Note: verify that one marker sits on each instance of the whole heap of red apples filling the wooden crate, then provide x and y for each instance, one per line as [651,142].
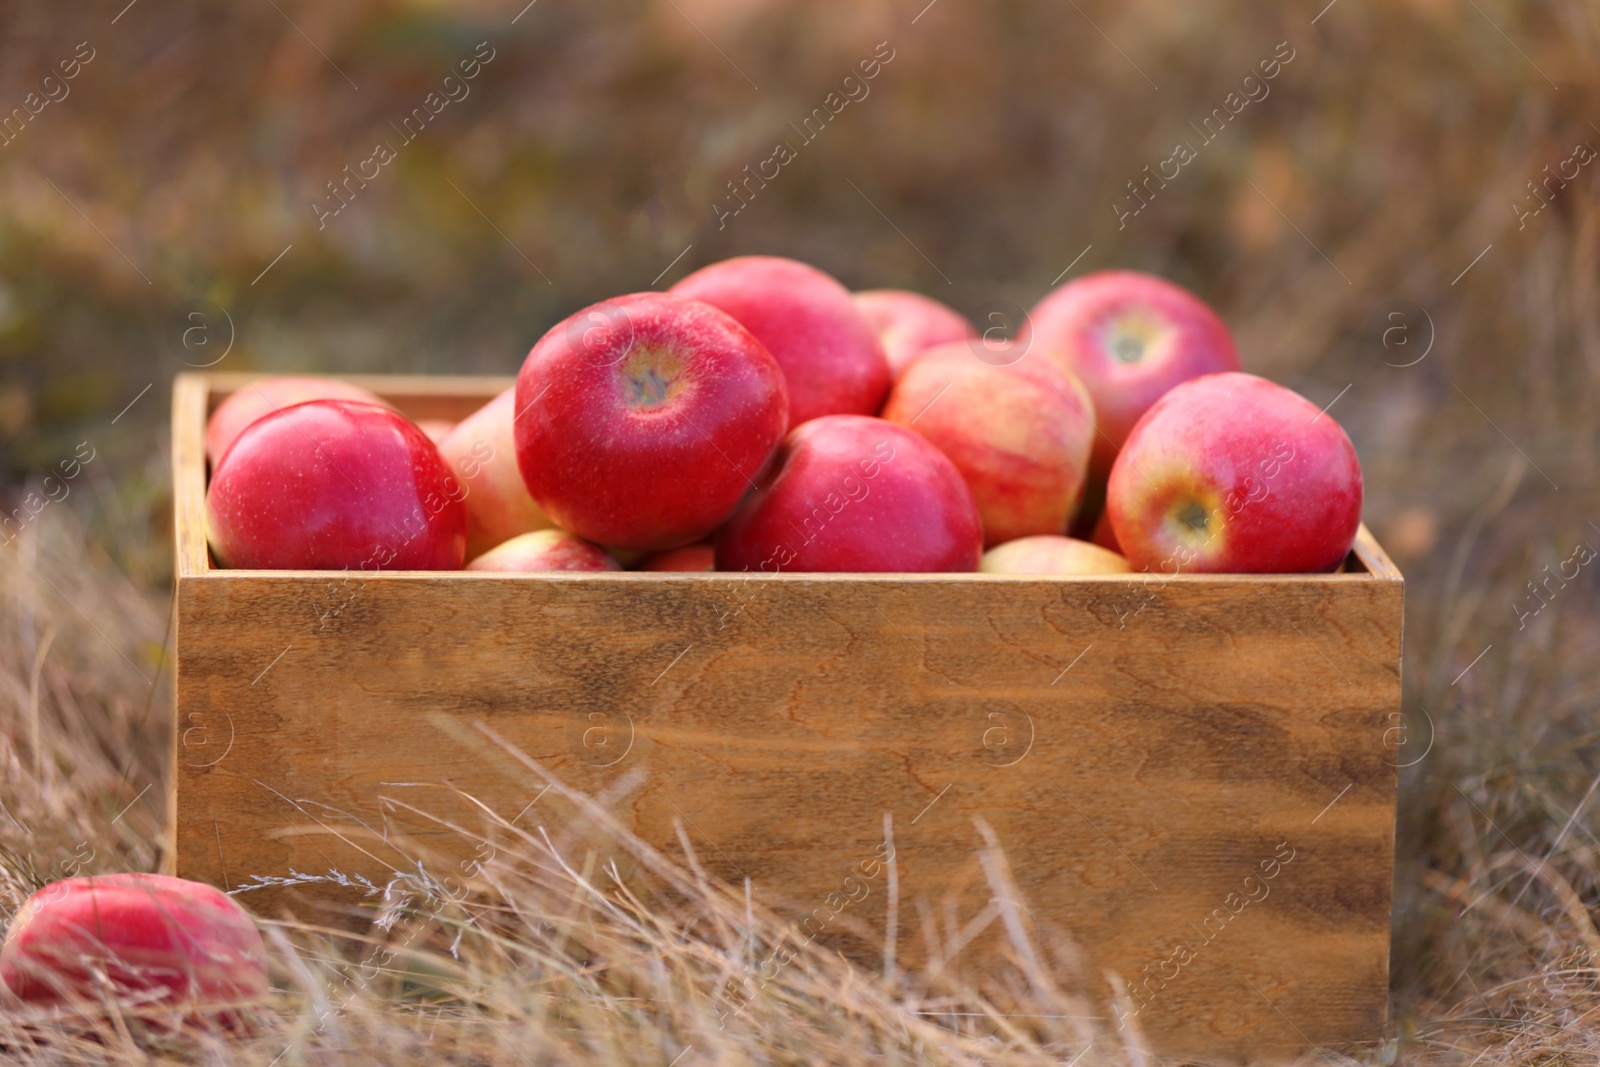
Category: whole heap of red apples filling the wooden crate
[762,418]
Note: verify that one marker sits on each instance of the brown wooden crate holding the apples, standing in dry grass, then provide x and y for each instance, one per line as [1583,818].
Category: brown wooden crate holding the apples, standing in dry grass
[1190,777]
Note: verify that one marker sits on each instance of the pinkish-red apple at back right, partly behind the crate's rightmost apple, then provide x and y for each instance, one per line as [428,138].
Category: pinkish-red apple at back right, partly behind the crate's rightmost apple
[1130,338]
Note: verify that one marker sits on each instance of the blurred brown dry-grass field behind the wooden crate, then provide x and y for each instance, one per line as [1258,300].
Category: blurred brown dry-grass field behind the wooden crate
[161,215]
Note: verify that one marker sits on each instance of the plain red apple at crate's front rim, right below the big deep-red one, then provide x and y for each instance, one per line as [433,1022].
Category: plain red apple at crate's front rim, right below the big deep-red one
[858,495]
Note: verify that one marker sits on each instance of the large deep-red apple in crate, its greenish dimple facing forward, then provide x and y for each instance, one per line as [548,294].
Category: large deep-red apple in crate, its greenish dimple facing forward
[642,422]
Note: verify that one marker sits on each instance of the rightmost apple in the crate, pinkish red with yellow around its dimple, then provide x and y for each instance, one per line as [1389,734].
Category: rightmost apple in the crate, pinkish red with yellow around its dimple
[1231,473]
